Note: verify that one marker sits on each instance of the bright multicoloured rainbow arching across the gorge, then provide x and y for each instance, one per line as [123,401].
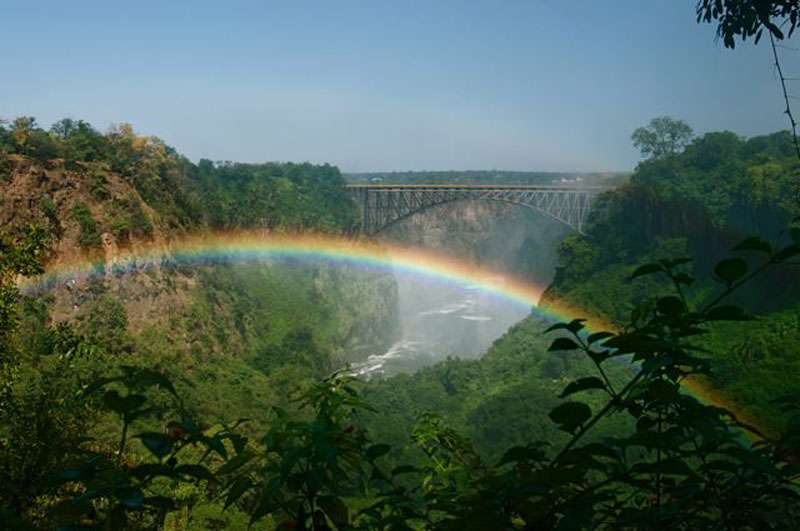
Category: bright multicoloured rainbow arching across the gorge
[243,247]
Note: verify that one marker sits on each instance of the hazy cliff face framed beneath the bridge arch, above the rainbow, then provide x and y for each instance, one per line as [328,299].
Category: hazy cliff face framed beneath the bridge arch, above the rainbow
[496,235]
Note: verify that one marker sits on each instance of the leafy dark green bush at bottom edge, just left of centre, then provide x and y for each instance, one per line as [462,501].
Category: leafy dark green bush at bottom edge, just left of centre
[310,467]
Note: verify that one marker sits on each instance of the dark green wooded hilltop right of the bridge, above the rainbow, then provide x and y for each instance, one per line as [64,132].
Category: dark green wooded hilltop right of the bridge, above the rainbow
[700,201]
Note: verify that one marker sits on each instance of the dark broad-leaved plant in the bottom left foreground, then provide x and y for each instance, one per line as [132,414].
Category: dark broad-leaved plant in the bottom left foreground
[120,493]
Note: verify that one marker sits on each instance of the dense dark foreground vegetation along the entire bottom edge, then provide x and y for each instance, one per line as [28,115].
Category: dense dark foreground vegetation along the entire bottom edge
[671,461]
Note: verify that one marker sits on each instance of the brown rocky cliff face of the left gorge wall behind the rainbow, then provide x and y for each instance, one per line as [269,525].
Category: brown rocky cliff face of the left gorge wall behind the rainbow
[251,311]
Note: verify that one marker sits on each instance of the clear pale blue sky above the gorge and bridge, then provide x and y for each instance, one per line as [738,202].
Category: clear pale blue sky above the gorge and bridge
[545,85]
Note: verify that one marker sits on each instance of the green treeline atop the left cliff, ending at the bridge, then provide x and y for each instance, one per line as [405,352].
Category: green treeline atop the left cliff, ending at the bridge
[186,195]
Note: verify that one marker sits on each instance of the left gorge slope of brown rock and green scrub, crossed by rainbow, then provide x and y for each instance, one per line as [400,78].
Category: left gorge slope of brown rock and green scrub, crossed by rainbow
[236,338]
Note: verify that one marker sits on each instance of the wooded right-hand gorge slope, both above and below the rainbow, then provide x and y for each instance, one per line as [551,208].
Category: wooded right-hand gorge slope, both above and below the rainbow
[700,202]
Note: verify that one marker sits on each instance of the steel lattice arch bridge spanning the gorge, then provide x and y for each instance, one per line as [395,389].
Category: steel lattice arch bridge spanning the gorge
[384,204]
